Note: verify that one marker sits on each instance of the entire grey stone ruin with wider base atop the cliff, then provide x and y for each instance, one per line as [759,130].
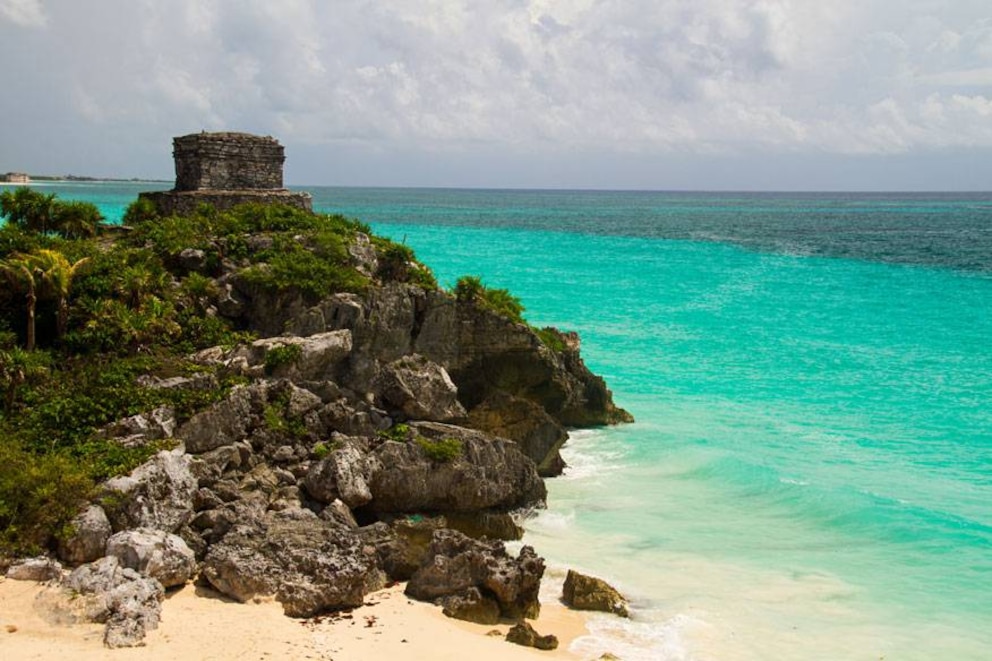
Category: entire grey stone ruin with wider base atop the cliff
[224,170]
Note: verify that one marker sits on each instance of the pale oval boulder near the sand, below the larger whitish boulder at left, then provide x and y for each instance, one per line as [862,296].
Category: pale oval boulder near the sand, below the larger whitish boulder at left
[155,553]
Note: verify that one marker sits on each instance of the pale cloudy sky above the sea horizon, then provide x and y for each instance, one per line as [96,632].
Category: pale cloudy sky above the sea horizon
[610,94]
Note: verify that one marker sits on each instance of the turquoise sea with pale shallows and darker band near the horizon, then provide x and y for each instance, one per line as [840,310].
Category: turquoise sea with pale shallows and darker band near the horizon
[810,473]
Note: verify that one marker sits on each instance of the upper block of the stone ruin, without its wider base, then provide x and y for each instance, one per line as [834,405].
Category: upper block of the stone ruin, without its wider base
[227,161]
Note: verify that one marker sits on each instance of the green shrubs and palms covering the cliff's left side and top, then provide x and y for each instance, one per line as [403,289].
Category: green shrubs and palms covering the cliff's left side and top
[83,316]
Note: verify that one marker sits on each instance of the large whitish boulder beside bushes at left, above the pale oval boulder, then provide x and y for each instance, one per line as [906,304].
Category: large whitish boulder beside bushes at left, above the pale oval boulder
[158,494]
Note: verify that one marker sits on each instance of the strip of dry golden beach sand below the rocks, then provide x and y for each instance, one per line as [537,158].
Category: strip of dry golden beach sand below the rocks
[200,624]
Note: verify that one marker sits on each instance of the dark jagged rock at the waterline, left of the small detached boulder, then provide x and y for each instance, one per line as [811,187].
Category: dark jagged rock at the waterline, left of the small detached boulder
[456,563]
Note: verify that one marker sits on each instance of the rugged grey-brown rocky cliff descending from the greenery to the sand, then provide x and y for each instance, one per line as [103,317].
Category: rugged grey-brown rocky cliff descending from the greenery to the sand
[368,427]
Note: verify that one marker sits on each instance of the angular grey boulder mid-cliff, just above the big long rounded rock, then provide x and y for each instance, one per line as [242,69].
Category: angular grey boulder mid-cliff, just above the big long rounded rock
[415,388]
